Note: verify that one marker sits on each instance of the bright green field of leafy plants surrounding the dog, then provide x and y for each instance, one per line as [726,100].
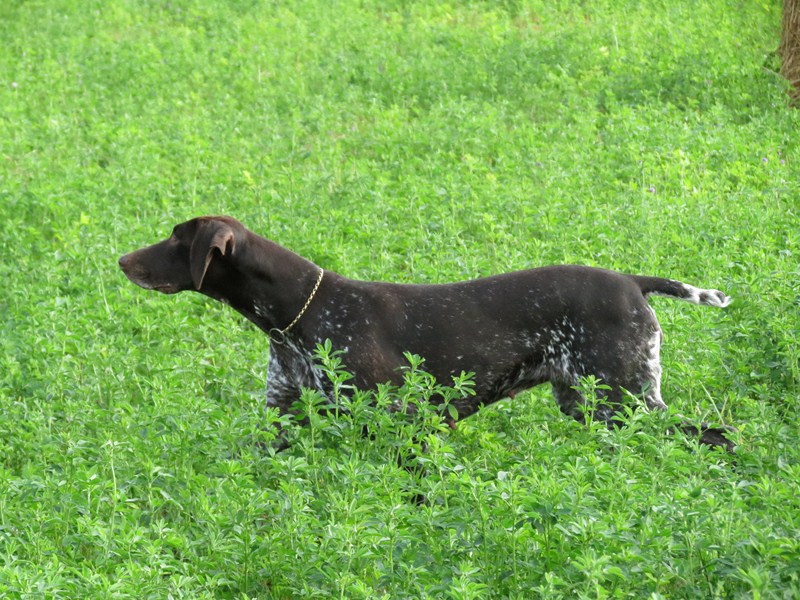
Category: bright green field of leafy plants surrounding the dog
[410,141]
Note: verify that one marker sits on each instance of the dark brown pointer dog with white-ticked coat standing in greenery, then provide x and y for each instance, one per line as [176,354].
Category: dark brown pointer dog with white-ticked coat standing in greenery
[514,331]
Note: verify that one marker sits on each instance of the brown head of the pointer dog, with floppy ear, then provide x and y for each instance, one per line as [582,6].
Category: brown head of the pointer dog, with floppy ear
[182,260]
